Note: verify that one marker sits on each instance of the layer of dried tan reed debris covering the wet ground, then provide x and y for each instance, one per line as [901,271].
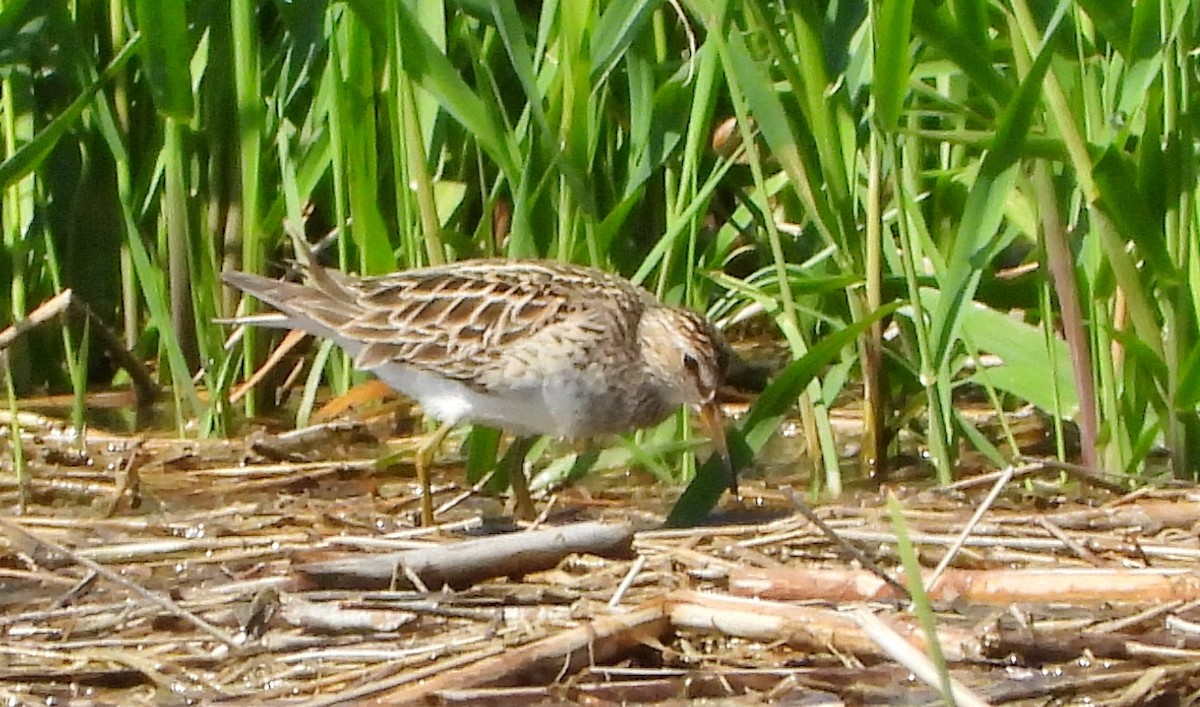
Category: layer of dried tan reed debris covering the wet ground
[178,572]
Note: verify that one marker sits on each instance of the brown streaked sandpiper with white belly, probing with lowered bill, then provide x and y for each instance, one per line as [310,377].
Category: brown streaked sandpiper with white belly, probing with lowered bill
[532,347]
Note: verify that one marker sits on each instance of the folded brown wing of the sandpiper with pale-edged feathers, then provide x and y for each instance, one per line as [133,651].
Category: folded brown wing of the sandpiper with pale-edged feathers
[477,322]
